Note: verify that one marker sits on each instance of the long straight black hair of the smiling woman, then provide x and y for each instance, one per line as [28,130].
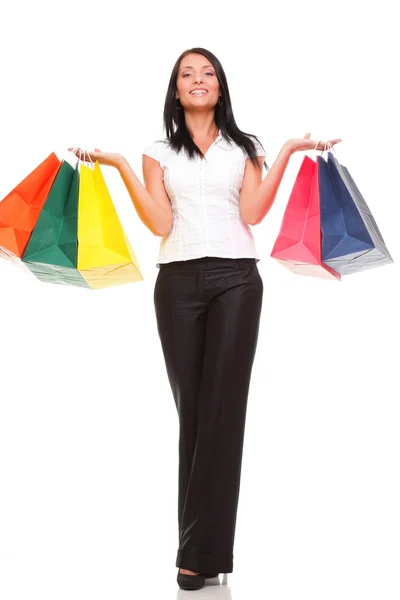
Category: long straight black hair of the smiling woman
[174,119]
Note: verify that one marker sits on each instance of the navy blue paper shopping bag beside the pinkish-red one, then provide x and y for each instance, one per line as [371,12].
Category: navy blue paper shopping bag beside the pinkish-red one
[351,240]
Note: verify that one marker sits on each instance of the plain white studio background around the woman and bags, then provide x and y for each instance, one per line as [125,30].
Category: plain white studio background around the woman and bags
[88,427]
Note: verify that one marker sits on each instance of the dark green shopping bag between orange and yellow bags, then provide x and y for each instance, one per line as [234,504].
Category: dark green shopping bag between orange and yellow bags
[52,251]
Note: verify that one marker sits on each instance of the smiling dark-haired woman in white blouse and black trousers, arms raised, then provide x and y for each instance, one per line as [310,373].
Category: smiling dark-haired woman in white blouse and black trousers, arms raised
[203,188]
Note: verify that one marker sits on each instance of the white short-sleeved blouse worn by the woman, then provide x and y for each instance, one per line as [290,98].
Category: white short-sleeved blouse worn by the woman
[204,195]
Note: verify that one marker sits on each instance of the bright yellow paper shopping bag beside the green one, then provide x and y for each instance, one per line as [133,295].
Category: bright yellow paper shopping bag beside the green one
[105,256]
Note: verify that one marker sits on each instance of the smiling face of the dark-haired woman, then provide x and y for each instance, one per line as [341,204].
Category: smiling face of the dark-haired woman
[196,72]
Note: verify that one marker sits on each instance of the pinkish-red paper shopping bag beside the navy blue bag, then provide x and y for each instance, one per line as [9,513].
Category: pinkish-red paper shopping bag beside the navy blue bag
[298,245]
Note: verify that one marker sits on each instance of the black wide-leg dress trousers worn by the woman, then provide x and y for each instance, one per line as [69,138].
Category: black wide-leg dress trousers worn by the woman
[208,312]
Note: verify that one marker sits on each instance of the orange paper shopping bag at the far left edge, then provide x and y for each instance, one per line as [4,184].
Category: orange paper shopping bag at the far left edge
[20,209]
